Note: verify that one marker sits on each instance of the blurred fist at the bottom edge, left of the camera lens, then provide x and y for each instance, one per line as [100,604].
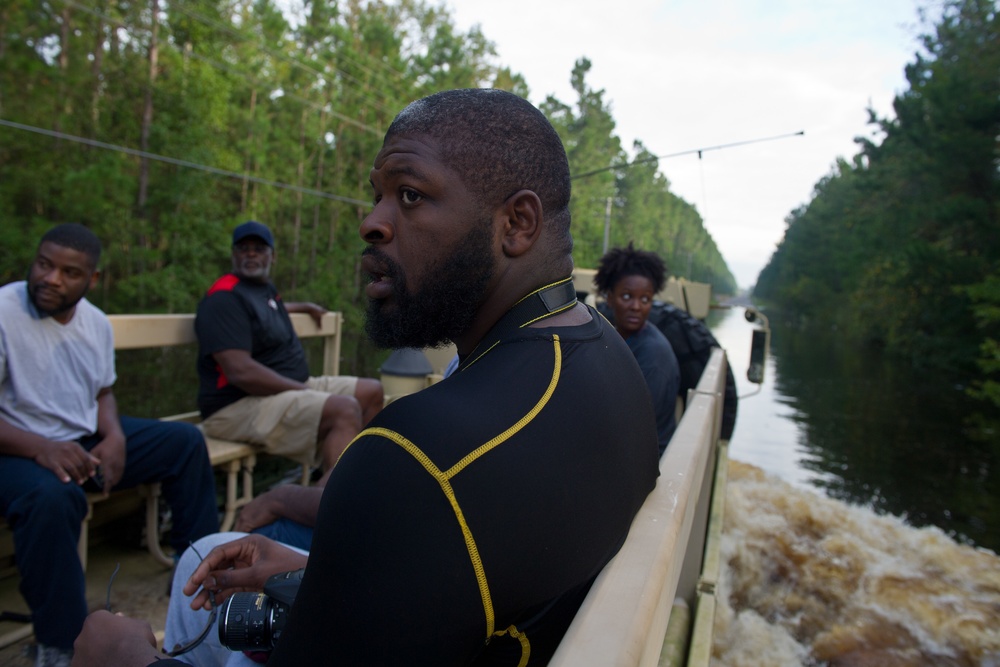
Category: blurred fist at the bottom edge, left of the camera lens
[108,639]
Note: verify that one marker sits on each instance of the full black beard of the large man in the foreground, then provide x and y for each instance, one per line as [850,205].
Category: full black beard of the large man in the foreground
[446,304]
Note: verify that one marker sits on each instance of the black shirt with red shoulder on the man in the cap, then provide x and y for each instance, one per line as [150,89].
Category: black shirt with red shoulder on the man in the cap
[242,315]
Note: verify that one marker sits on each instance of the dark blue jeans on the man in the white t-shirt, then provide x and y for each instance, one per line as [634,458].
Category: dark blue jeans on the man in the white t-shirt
[45,516]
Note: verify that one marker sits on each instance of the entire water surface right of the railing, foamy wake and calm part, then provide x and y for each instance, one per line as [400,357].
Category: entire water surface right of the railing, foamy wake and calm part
[860,515]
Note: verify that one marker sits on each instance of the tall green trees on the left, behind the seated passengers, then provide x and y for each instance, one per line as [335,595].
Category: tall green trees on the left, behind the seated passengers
[161,125]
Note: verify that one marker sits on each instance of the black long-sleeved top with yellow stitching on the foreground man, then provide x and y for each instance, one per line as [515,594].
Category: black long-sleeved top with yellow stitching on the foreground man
[465,525]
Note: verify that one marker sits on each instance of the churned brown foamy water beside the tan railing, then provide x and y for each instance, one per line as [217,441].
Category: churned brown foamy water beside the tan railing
[810,580]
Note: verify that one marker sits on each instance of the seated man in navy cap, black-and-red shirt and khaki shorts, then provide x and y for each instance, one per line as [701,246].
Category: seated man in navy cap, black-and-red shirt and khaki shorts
[254,383]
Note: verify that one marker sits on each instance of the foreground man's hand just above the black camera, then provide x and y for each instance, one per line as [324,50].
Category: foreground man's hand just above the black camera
[242,565]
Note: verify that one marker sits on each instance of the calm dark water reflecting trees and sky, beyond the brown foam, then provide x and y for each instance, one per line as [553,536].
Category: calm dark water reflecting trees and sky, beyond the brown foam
[864,430]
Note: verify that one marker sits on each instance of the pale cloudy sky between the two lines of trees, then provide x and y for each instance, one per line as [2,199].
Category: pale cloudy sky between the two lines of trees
[690,74]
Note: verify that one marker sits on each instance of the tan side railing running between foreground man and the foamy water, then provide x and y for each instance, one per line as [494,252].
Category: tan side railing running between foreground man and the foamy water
[623,620]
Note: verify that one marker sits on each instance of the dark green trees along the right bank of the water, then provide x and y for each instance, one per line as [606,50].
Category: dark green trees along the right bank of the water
[900,247]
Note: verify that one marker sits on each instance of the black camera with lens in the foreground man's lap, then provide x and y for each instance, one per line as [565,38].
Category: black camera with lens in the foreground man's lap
[255,621]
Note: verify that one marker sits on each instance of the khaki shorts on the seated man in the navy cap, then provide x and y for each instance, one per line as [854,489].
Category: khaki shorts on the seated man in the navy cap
[285,424]
